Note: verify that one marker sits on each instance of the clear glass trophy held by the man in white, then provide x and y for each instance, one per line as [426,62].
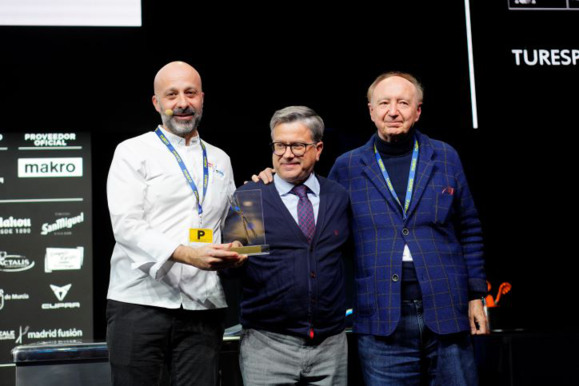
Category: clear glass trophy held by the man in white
[244,223]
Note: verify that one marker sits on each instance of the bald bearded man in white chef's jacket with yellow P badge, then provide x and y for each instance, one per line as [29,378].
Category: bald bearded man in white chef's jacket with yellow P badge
[168,193]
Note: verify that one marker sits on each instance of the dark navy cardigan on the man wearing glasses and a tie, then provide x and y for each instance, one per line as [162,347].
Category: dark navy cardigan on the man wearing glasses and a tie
[298,286]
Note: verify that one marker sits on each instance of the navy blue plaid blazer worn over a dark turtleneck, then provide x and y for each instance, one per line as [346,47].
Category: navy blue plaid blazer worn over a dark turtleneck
[442,231]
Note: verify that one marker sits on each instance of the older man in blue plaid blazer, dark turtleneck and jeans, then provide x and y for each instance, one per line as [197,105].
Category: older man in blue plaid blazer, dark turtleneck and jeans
[419,260]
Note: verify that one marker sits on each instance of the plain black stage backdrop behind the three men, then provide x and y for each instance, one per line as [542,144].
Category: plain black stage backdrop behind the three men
[256,59]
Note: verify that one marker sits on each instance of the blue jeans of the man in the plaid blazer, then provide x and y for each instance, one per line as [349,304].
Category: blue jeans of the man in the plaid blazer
[414,355]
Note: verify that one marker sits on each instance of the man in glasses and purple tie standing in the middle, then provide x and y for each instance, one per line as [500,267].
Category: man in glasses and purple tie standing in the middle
[293,301]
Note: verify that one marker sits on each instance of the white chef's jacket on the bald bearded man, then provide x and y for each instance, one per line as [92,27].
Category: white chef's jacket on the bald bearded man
[152,208]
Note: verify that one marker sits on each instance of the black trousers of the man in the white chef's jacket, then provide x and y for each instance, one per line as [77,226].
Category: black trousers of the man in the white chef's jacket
[147,342]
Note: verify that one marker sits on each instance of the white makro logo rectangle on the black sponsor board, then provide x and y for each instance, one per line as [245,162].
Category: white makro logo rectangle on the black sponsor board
[49,167]
